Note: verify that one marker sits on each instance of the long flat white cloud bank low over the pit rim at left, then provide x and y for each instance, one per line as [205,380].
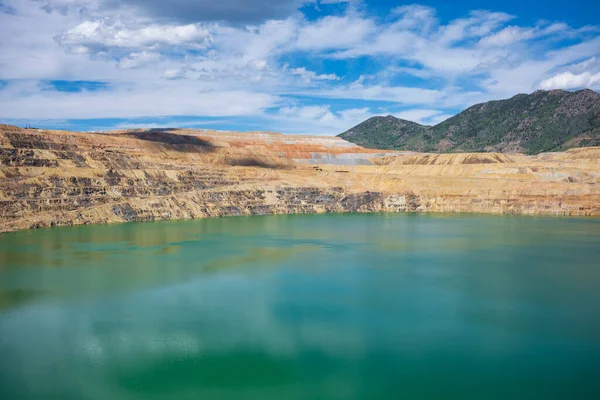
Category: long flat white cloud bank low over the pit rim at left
[23,100]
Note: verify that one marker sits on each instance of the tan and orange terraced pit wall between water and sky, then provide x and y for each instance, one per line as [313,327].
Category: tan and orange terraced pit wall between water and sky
[57,178]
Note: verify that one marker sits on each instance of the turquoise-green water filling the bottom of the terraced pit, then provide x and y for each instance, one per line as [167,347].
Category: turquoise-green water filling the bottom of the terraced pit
[366,306]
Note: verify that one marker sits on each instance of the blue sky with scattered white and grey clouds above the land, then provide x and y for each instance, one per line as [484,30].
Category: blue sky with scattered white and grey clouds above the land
[292,66]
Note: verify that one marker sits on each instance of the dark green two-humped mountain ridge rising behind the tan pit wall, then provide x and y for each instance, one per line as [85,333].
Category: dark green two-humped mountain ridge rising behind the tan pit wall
[530,123]
